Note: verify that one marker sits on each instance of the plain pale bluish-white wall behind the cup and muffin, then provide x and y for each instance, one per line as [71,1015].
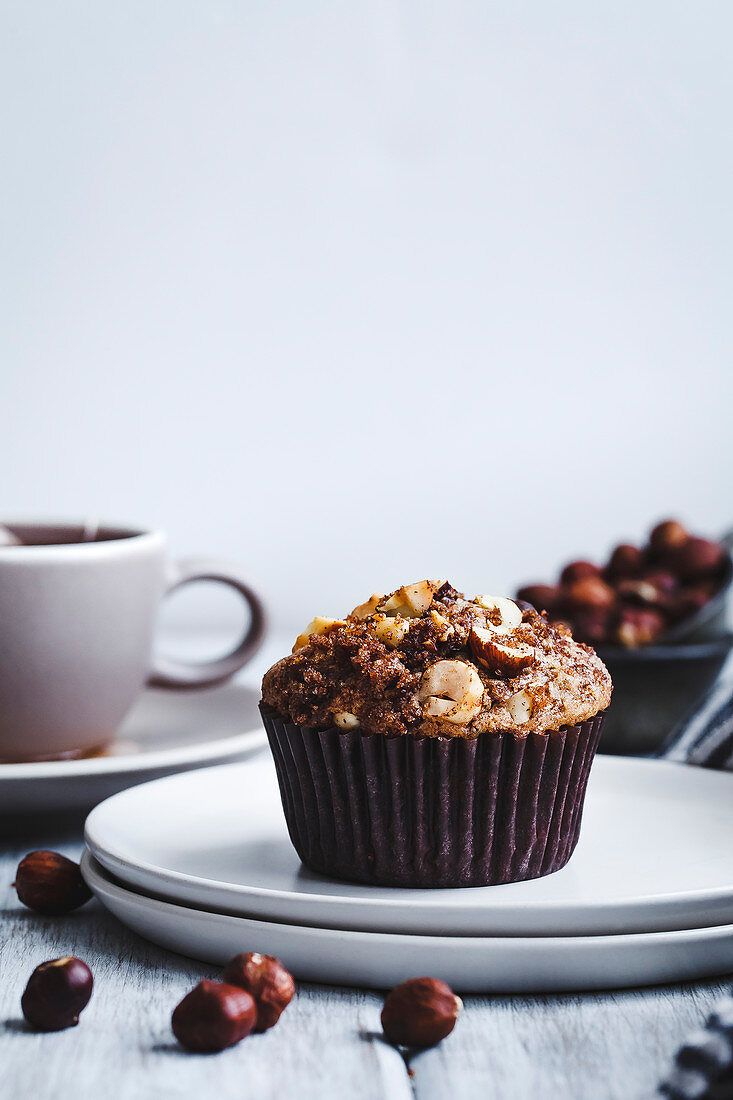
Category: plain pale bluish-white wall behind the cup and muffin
[356,294]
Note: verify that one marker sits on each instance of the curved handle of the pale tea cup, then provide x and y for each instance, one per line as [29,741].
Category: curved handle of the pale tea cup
[167,672]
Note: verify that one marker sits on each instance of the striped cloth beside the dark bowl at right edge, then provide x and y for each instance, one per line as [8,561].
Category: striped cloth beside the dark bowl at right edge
[706,738]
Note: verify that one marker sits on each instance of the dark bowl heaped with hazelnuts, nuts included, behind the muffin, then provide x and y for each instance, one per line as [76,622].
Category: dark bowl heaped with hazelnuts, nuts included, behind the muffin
[657,614]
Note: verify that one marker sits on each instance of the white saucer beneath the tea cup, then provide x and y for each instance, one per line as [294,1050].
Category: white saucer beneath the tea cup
[166,732]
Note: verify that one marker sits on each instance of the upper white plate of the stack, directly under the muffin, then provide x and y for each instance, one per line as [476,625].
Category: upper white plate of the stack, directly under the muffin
[655,854]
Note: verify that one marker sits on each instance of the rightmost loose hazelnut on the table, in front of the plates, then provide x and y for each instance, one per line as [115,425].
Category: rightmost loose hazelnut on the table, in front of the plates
[420,1013]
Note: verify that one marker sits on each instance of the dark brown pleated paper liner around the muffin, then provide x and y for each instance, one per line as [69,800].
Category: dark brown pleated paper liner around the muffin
[433,811]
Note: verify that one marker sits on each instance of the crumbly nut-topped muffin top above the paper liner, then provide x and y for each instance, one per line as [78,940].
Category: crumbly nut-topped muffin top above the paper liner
[425,662]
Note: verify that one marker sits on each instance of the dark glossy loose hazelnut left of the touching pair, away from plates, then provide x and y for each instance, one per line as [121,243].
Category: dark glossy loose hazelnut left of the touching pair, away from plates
[57,993]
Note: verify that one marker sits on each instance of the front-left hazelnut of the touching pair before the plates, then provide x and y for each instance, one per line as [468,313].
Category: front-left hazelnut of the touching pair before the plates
[214,1017]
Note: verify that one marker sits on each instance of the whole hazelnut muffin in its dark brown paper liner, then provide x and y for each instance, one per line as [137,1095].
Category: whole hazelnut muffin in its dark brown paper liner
[432,741]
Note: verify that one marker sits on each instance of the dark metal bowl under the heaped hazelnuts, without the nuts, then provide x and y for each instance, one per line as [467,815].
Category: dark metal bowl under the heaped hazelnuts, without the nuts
[654,688]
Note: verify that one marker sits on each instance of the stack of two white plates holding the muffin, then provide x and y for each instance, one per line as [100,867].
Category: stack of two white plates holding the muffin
[202,864]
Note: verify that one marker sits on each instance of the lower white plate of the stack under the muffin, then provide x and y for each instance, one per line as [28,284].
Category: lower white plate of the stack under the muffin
[382,960]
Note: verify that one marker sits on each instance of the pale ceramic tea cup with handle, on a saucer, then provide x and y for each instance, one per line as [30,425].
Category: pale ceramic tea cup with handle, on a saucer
[76,634]
